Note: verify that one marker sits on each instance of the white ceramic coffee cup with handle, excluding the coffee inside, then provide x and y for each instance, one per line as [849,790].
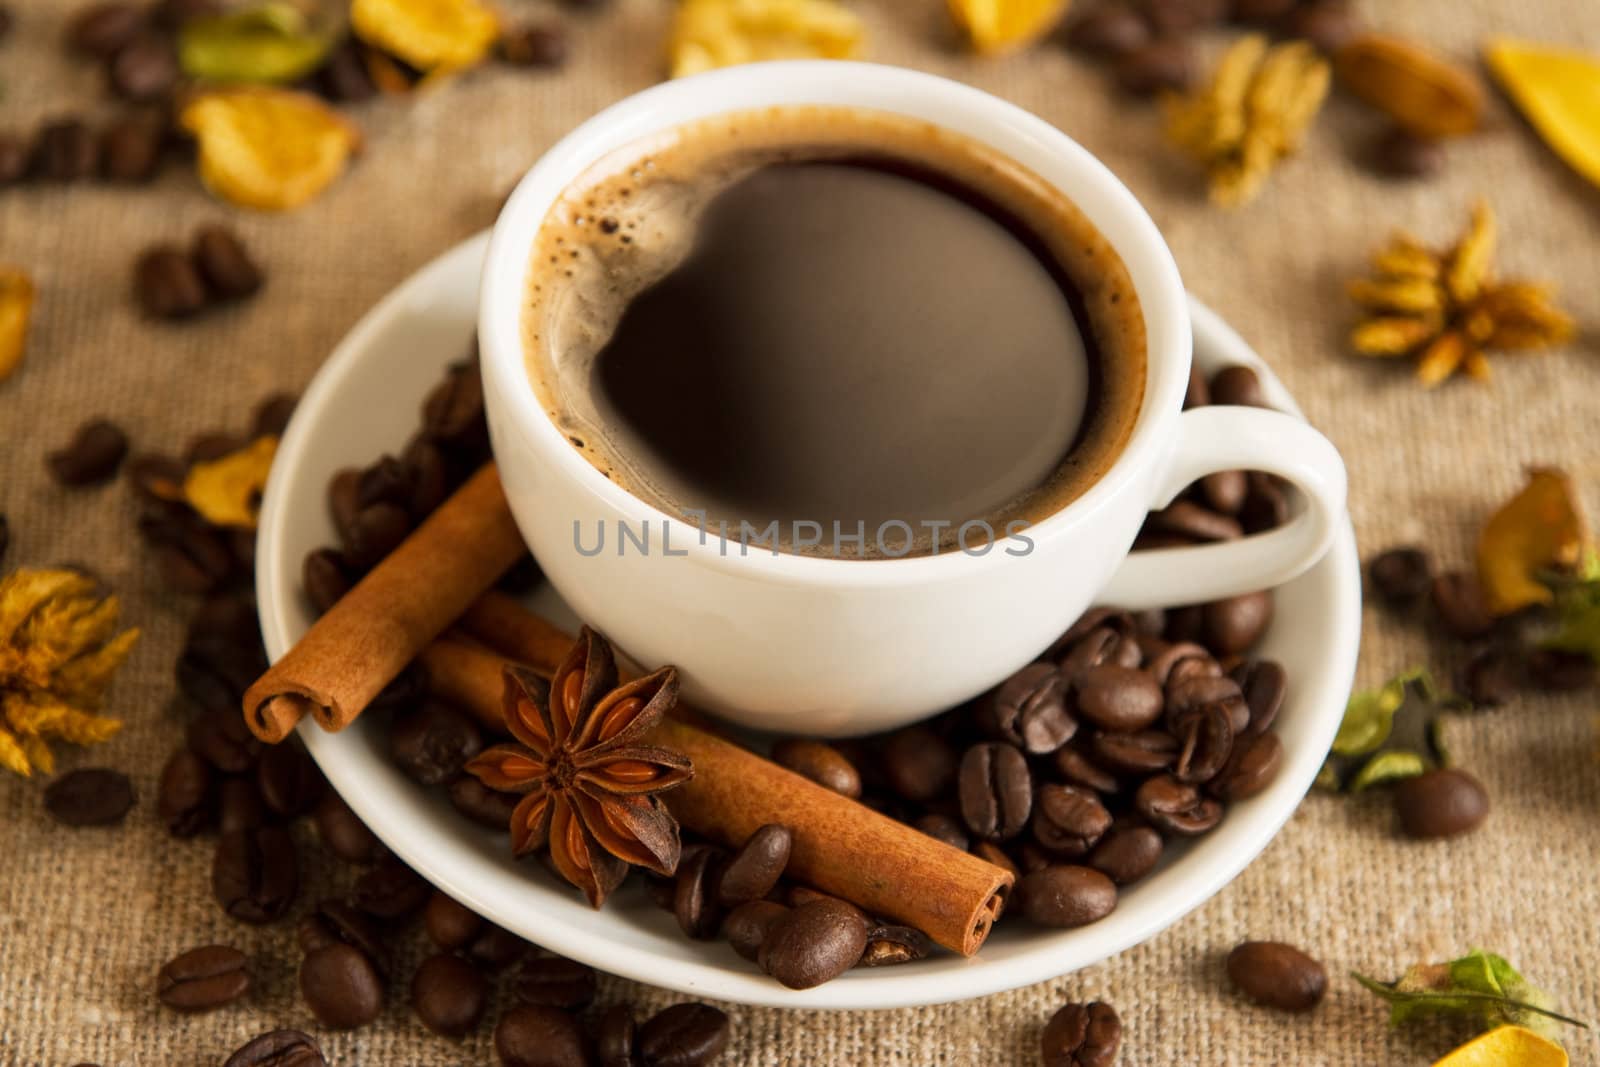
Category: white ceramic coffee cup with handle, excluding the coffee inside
[846,647]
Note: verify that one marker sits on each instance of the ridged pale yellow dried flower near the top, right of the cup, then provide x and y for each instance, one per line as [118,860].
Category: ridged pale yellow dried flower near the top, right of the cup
[1252,116]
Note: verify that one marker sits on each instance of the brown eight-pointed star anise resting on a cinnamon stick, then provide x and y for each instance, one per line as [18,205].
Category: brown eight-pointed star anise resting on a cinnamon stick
[590,788]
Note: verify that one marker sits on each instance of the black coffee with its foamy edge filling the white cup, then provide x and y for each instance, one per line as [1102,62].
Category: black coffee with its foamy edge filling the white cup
[841,322]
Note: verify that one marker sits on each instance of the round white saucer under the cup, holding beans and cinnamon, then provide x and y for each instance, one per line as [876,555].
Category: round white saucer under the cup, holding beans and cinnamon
[366,401]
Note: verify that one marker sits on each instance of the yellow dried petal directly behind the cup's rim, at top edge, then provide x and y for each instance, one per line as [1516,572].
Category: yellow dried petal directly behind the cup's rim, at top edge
[710,34]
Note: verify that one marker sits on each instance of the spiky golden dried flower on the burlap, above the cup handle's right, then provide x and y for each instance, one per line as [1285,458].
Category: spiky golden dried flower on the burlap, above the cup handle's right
[1447,310]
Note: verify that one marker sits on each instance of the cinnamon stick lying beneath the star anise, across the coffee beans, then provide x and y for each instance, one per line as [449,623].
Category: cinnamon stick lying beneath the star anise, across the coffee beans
[841,847]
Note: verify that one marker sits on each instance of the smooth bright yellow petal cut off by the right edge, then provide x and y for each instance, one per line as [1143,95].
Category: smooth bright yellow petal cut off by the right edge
[1559,92]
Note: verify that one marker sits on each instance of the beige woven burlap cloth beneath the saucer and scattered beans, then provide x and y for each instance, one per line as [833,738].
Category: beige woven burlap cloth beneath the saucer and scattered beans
[87,917]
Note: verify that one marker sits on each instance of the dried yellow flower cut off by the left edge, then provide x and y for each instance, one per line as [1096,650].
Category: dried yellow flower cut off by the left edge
[58,653]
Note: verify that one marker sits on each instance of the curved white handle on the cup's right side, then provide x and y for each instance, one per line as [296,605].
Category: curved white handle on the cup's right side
[1215,439]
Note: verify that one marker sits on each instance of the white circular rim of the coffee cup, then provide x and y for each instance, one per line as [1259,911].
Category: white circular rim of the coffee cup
[964,110]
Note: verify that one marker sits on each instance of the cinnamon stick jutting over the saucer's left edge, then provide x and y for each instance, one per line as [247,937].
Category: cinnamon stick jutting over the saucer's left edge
[378,628]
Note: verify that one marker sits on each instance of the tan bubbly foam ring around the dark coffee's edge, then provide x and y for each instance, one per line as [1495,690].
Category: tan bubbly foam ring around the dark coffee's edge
[633,218]
